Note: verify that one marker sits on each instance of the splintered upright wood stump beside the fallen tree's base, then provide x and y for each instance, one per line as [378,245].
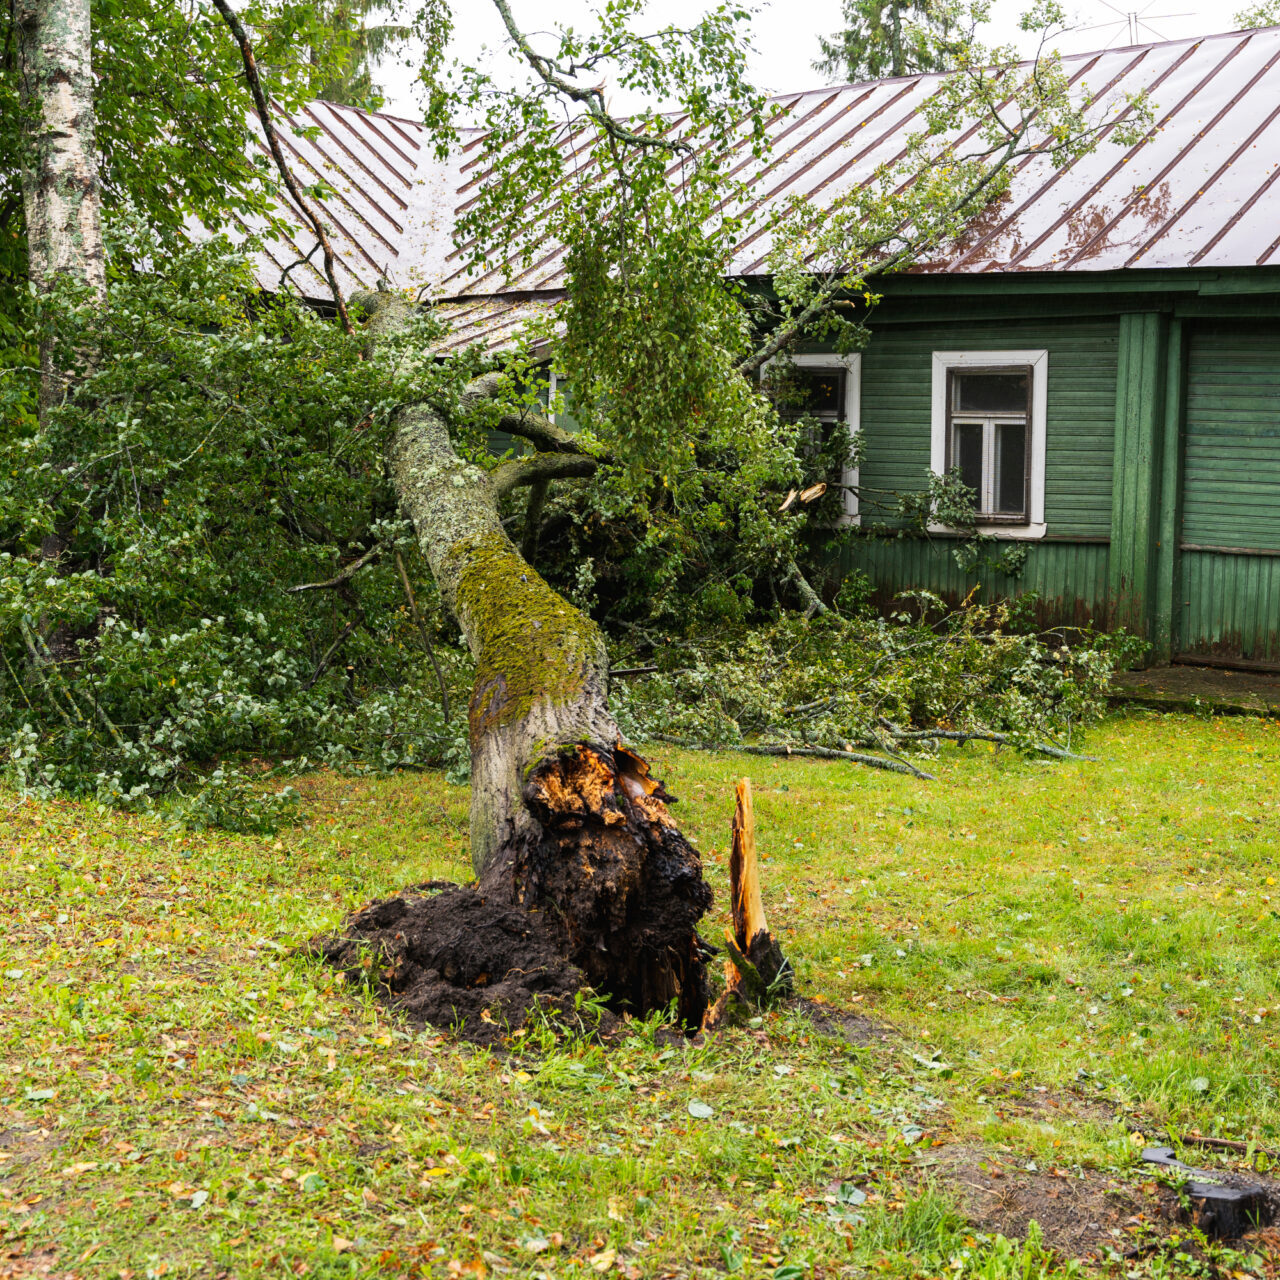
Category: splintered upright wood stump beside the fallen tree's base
[756,972]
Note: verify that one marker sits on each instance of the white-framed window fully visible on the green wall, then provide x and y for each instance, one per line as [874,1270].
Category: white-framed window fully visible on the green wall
[989,423]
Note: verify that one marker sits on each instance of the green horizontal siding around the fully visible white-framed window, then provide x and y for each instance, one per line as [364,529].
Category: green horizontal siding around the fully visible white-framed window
[897,391]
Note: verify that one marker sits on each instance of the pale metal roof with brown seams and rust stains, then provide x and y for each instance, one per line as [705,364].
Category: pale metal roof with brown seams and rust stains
[1200,190]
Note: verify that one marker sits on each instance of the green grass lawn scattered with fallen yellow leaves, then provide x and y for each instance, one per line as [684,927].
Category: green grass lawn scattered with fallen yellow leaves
[1063,953]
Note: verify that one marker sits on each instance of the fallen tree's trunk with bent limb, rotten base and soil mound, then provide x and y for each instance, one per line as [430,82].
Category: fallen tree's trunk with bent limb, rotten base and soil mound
[566,824]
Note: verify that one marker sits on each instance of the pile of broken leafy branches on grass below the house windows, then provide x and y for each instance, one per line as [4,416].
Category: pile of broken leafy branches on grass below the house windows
[885,693]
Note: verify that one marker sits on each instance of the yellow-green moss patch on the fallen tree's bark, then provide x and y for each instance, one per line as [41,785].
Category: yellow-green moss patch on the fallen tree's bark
[532,644]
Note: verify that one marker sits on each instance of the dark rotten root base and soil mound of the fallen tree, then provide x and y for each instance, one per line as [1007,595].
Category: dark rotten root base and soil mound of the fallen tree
[605,894]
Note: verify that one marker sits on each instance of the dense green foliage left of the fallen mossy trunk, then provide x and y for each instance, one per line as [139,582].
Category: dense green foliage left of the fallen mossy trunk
[227,449]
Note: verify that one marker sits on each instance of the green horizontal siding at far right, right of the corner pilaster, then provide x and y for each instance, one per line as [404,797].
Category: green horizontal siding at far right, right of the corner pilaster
[1232,481]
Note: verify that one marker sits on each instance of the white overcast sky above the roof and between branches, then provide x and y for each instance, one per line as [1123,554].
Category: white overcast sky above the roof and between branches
[787,34]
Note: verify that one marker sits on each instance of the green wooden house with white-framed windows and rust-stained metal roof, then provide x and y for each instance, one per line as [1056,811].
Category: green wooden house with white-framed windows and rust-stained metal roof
[1100,356]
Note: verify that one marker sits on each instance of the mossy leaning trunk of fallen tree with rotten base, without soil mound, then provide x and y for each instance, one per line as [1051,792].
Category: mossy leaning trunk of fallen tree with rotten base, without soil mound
[564,820]
